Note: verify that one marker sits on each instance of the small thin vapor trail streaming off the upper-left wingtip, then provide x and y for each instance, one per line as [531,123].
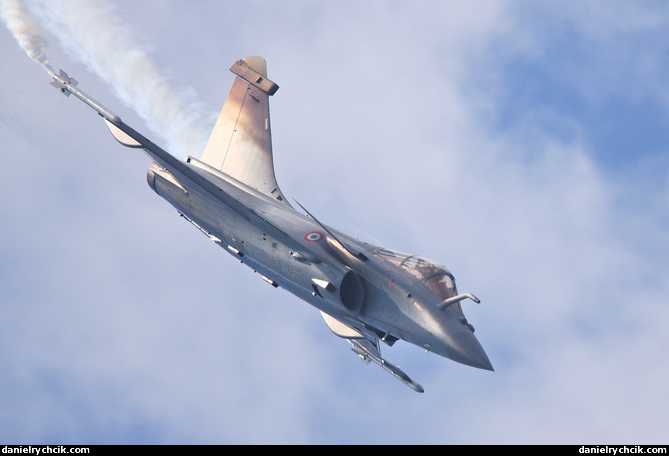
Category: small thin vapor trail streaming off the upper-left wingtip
[25,31]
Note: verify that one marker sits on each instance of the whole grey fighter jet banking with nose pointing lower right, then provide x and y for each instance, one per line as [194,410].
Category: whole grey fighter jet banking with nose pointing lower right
[366,294]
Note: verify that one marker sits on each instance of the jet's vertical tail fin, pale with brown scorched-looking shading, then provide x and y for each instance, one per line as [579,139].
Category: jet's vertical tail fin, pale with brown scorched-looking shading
[241,142]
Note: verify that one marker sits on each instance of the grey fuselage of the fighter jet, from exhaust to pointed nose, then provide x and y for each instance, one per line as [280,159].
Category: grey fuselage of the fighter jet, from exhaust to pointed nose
[290,250]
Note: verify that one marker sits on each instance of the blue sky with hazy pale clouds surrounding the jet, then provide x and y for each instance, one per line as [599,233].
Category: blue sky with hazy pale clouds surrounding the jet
[522,144]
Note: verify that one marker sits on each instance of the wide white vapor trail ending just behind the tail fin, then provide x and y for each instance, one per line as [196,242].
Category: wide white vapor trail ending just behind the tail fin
[91,32]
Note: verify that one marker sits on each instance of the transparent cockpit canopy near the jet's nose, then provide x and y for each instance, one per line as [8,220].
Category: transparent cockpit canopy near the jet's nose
[434,275]
